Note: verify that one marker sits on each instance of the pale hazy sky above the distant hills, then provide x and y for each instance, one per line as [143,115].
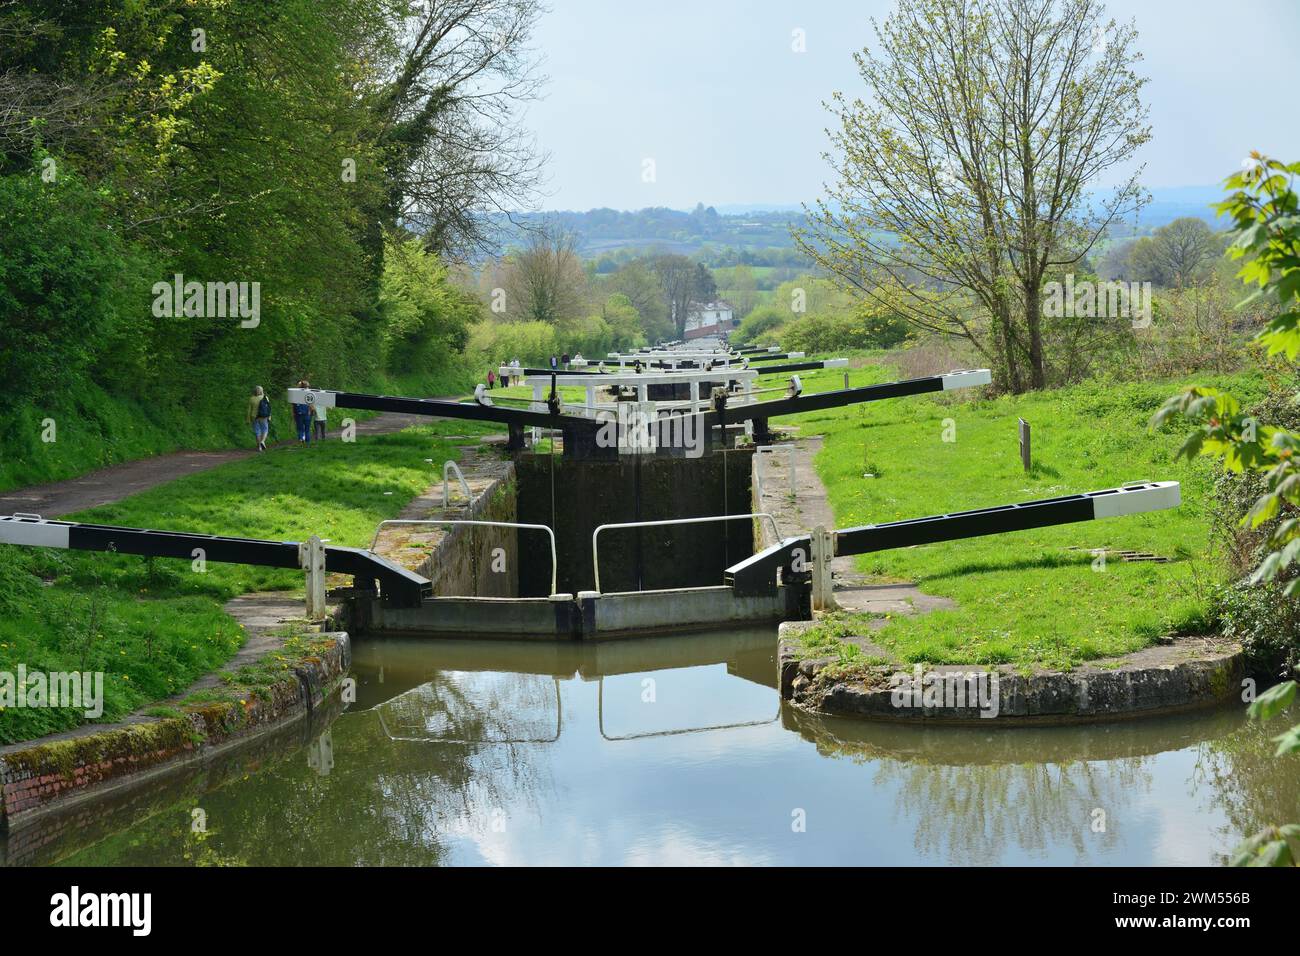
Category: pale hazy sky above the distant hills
[714,94]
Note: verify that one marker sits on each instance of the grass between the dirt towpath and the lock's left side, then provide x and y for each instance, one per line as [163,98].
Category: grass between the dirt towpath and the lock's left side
[155,626]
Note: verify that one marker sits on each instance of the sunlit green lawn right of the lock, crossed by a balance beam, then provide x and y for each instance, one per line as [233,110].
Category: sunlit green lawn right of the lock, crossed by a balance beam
[1024,598]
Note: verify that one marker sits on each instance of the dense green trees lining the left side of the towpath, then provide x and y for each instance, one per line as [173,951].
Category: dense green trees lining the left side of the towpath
[209,196]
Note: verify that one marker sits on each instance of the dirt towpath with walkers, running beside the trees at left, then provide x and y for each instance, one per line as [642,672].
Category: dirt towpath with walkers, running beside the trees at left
[118,482]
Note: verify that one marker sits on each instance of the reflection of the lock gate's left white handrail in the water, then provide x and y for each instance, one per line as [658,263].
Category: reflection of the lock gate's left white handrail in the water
[453,703]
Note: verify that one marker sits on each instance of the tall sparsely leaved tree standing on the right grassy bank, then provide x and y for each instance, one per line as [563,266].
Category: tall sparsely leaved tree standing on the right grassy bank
[965,183]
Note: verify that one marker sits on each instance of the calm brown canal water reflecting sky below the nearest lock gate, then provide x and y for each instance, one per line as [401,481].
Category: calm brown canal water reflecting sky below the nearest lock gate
[679,751]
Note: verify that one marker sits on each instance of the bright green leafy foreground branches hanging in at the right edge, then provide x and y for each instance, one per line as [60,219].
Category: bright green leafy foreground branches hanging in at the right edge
[1266,213]
